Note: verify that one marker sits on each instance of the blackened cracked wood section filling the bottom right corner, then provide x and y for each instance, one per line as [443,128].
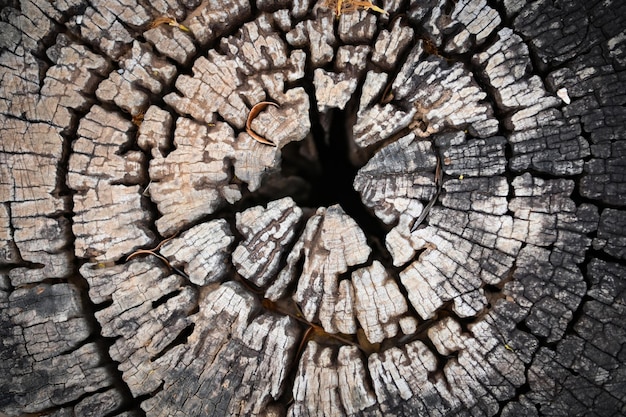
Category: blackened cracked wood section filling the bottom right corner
[593,359]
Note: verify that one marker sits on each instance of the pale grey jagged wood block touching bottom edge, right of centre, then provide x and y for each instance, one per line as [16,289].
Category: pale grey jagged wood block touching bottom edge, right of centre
[481,374]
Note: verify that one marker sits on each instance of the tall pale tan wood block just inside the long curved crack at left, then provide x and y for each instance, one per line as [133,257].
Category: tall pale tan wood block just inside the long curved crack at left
[110,220]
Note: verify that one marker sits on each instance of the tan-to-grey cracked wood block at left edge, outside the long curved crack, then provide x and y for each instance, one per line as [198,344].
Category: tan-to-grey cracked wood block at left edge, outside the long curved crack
[36,232]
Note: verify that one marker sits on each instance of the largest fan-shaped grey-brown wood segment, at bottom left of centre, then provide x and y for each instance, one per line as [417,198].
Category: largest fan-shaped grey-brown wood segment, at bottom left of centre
[151,310]
